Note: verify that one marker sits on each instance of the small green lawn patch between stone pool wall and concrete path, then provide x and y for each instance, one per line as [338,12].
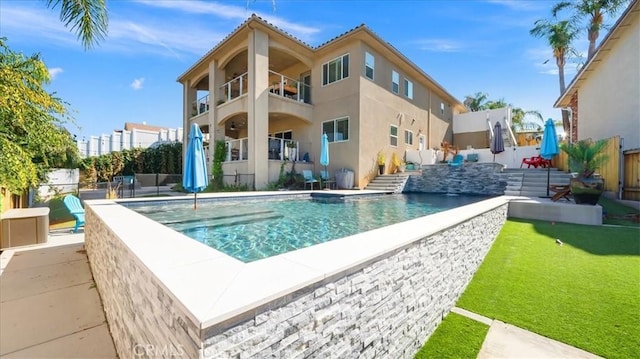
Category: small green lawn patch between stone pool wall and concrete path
[456,337]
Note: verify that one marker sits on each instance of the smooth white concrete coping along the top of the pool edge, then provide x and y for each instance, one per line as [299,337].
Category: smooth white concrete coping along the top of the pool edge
[185,267]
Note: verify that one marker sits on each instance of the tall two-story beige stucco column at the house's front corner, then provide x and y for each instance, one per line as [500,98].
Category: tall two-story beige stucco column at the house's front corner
[258,106]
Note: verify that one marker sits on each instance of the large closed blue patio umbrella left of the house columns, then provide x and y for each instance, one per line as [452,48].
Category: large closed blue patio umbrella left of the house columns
[194,177]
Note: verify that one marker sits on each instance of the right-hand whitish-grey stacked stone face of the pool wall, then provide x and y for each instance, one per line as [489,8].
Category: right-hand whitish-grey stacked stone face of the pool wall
[383,309]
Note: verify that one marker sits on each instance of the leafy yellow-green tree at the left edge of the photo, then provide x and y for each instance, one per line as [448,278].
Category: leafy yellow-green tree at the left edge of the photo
[31,135]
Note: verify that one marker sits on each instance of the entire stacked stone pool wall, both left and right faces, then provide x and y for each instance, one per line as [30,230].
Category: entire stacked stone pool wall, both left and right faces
[385,308]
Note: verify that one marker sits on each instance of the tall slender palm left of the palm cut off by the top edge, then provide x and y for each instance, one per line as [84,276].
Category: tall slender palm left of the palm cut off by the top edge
[559,35]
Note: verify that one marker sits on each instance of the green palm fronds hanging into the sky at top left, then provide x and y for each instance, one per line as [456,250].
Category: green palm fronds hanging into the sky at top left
[88,18]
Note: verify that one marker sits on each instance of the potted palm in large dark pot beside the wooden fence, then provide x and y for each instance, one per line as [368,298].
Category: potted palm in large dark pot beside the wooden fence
[585,157]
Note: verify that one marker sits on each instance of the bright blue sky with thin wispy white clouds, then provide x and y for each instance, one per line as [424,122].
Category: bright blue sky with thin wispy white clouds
[465,45]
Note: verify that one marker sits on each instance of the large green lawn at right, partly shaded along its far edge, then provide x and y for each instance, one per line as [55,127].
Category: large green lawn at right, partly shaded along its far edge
[585,293]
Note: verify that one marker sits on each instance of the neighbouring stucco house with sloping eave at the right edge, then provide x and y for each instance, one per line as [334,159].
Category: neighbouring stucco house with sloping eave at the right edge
[604,96]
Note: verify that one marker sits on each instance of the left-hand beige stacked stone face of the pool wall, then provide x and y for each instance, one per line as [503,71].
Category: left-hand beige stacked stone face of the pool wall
[144,319]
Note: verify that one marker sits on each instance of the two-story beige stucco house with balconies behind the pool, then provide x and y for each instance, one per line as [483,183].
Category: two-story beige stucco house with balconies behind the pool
[261,89]
